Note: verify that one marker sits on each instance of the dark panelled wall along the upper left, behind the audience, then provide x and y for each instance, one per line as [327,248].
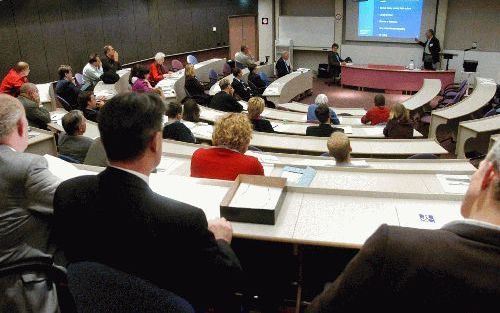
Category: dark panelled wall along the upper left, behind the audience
[48,33]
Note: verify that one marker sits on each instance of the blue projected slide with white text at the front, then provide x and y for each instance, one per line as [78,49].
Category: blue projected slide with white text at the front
[390,18]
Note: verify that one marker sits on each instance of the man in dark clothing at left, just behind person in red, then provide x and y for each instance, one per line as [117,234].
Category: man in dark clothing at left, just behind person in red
[36,114]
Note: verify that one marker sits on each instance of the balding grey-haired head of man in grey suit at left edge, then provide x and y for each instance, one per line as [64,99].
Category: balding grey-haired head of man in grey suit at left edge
[13,123]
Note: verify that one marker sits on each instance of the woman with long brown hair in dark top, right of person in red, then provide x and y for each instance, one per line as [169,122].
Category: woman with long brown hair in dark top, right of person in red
[399,125]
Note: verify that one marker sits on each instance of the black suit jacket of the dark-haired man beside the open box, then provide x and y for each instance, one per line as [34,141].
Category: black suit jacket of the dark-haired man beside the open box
[114,218]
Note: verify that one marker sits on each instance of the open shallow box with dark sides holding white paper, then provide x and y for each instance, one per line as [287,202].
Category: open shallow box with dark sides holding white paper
[264,196]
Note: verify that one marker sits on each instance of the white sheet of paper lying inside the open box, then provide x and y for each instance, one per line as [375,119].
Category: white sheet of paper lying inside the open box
[256,197]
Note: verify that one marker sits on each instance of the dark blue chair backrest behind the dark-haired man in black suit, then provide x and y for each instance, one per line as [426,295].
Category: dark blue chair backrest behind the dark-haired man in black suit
[98,288]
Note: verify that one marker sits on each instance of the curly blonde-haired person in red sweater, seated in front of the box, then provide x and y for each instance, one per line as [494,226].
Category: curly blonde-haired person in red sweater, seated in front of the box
[226,160]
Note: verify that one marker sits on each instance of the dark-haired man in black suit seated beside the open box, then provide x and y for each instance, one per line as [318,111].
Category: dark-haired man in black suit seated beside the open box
[129,222]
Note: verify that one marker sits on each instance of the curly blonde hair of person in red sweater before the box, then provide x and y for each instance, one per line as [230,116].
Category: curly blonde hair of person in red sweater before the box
[233,131]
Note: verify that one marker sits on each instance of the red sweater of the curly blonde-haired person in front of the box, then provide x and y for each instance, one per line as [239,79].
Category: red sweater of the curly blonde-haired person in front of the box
[221,163]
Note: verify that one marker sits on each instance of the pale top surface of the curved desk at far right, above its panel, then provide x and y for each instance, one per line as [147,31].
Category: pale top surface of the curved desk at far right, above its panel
[482,94]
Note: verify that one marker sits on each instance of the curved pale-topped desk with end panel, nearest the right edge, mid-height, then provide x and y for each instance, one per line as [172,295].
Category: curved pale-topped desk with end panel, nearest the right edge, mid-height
[481,96]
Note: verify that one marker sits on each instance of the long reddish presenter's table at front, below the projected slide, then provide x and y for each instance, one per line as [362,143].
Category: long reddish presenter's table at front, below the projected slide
[391,77]
